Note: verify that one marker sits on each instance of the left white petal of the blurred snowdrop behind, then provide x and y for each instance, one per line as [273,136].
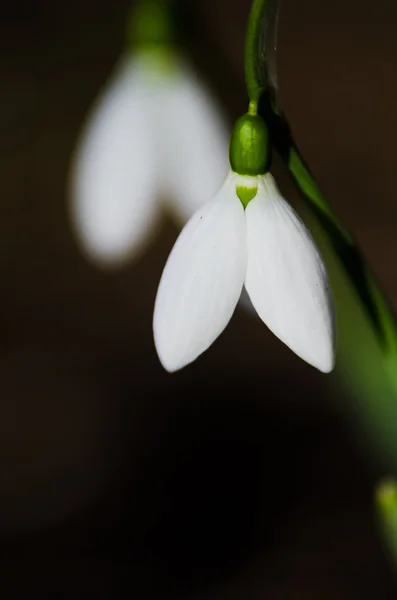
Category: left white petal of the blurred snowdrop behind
[113,179]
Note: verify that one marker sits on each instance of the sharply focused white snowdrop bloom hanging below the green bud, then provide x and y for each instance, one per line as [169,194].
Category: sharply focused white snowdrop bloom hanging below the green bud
[265,247]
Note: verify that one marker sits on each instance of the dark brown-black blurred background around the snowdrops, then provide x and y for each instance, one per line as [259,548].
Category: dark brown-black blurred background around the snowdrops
[238,477]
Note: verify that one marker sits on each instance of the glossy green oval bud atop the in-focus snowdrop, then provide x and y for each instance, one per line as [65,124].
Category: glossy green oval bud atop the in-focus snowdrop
[249,146]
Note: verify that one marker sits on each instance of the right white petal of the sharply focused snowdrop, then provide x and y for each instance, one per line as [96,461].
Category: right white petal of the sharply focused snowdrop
[286,278]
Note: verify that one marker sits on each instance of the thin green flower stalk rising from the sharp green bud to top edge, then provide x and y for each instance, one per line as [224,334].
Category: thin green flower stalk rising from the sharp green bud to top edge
[260,44]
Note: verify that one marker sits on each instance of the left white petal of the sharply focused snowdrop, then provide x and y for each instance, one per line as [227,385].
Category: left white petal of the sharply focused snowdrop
[202,280]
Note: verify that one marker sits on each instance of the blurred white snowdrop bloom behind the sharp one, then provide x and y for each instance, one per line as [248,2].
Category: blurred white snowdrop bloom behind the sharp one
[155,136]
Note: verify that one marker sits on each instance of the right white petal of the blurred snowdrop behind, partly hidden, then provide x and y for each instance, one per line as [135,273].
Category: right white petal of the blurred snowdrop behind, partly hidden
[195,143]
